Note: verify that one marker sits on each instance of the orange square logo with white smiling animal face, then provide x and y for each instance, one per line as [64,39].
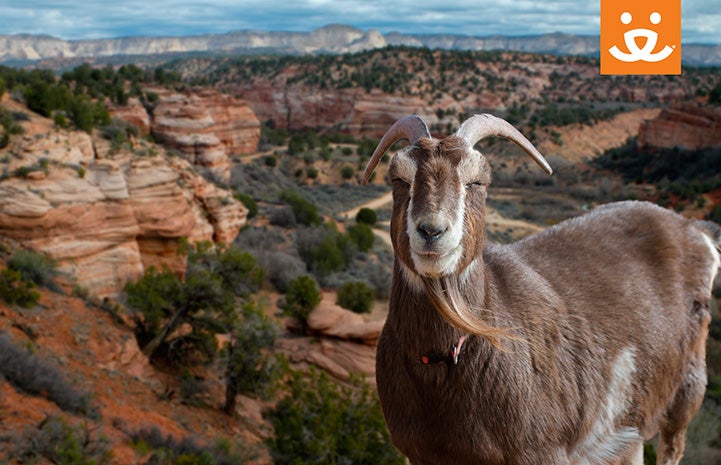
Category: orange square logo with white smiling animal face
[641,37]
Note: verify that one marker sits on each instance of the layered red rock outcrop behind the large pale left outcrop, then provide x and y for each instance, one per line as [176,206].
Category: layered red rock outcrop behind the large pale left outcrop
[205,127]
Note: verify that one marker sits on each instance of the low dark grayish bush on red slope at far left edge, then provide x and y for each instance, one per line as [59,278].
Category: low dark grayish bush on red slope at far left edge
[36,376]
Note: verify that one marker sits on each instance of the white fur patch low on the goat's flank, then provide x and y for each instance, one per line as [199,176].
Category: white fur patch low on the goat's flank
[604,442]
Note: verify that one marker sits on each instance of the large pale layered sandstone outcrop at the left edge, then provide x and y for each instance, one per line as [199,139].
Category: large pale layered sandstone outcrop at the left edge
[104,215]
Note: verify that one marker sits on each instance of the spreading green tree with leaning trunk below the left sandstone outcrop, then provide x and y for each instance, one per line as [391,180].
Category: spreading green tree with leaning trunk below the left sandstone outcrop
[204,301]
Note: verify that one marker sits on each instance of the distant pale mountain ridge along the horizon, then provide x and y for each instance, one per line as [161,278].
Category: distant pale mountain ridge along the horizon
[27,48]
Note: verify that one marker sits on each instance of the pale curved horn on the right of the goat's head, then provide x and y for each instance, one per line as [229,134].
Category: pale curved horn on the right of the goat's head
[478,127]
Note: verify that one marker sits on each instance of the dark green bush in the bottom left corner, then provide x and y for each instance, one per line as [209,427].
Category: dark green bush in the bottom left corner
[58,442]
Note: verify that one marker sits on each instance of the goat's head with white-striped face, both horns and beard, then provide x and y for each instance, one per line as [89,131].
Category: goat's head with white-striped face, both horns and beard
[439,194]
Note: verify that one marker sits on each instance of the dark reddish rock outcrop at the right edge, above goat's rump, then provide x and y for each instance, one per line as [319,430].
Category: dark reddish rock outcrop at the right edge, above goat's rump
[687,127]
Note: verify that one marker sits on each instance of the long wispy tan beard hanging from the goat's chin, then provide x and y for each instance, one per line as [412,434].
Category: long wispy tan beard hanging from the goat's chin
[446,295]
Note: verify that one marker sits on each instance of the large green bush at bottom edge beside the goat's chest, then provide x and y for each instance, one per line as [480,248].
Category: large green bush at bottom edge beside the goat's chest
[319,422]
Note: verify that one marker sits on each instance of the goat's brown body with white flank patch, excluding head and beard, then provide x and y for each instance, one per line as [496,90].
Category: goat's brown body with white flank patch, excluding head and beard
[612,348]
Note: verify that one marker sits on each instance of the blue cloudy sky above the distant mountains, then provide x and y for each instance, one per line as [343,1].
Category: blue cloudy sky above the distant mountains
[96,19]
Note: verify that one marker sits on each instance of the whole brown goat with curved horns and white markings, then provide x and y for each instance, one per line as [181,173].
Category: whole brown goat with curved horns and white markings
[571,346]
